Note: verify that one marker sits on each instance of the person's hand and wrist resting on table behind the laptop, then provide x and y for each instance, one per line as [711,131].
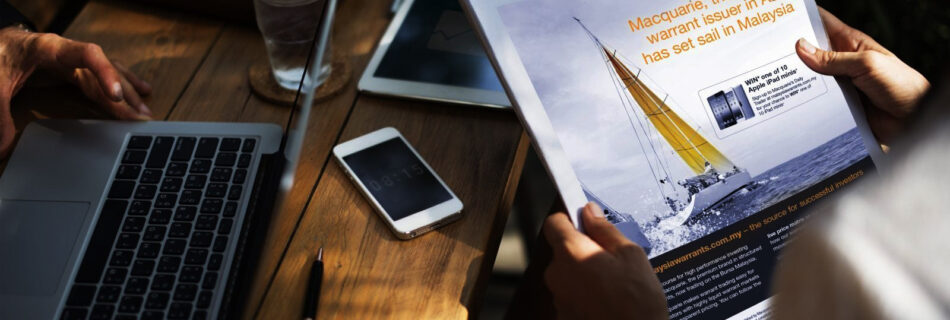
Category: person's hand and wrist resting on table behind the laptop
[108,83]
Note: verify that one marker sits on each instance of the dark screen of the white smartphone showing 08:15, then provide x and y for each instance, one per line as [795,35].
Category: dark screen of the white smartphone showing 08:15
[398,179]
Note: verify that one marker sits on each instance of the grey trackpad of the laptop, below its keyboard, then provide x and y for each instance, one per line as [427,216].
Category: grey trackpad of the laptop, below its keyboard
[36,241]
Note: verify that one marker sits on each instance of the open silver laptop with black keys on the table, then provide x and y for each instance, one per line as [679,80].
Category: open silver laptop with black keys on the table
[142,220]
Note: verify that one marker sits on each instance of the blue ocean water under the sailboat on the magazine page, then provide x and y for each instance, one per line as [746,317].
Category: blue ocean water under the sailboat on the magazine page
[768,188]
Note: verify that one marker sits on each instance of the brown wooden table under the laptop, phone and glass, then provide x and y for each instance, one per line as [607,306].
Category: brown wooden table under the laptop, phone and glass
[198,68]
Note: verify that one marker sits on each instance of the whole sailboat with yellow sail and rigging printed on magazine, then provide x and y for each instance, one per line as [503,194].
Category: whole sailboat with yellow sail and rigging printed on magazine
[714,177]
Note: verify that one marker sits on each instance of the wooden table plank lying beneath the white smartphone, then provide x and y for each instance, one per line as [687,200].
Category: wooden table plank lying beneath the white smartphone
[370,273]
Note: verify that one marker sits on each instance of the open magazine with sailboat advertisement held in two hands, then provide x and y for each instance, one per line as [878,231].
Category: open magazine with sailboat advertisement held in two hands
[694,125]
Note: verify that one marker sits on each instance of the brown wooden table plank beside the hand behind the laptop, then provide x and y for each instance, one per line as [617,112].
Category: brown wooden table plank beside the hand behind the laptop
[163,48]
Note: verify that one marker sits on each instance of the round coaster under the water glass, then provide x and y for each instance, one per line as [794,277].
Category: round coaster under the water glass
[264,86]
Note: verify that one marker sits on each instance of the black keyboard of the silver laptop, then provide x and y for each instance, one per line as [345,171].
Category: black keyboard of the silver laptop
[158,247]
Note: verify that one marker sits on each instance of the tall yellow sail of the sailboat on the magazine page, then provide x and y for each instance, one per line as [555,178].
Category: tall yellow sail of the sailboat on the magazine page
[689,144]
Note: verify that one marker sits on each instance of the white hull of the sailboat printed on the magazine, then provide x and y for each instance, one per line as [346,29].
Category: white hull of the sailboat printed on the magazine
[710,196]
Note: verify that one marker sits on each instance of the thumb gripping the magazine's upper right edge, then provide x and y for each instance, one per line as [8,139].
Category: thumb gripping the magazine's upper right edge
[836,63]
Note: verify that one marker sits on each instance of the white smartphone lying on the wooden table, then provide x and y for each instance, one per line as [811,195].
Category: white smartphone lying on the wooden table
[405,191]
